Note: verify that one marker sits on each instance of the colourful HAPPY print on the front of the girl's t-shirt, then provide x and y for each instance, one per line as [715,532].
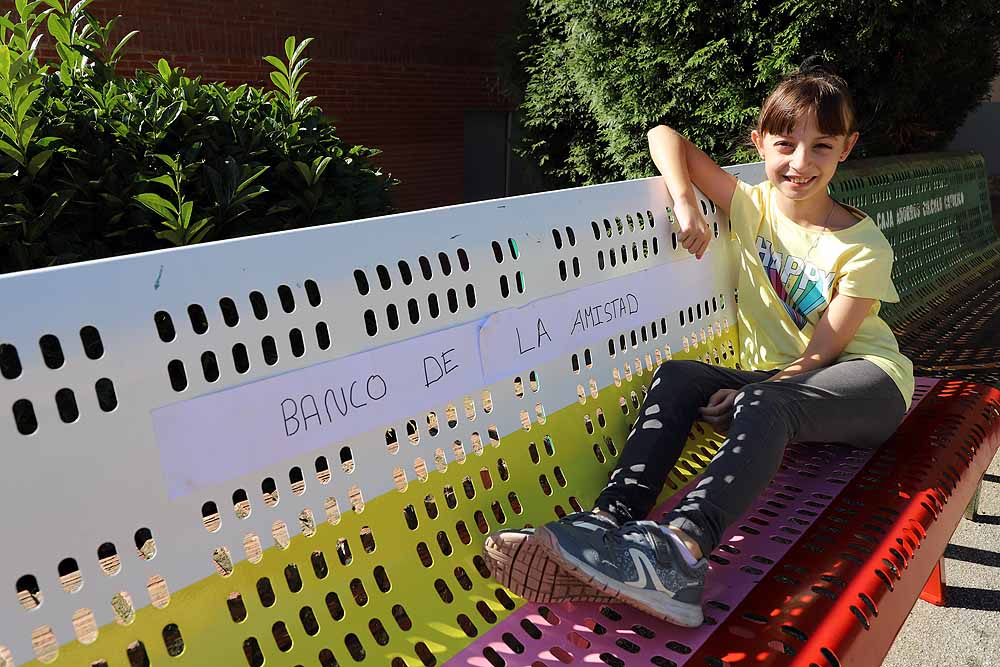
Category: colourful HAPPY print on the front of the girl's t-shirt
[802,286]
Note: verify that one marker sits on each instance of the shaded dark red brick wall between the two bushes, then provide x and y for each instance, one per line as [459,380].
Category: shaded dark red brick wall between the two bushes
[395,75]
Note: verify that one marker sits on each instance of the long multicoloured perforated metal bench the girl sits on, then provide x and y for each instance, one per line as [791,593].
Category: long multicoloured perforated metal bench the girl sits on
[286,450]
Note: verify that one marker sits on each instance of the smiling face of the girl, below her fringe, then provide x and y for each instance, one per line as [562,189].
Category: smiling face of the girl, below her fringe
[802,163]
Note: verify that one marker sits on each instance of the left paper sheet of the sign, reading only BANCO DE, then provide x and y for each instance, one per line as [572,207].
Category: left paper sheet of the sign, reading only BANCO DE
[214,438]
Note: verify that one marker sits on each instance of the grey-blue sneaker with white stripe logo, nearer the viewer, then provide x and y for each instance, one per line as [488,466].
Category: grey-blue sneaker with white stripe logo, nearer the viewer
[637,564]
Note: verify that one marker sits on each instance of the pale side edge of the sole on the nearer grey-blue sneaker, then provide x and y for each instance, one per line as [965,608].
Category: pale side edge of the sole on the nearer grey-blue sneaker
[653,603]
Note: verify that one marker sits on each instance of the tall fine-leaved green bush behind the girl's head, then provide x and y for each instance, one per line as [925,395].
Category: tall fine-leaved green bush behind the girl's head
[597,74]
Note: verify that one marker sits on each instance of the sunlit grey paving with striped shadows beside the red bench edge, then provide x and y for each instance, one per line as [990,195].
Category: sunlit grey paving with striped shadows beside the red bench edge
[965,633]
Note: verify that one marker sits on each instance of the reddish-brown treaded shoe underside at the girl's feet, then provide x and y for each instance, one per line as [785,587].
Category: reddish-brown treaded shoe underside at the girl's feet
[526,569]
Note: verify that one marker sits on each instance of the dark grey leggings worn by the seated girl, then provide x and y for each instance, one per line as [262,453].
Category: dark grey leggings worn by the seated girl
[853,402]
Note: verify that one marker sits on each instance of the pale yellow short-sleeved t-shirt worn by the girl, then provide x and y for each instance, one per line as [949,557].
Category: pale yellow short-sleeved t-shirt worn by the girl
[787,278]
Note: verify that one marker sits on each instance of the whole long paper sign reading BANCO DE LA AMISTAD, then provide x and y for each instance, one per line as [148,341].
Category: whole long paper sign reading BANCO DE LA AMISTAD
[217,437]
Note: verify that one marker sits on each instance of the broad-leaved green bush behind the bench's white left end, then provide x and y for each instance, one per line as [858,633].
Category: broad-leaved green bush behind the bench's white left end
[94,164]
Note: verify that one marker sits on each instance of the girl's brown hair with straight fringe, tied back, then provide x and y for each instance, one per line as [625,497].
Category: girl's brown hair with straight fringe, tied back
[814,90]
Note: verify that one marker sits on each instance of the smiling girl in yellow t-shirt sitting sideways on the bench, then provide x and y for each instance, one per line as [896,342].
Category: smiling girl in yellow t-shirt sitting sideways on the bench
[821,365]
